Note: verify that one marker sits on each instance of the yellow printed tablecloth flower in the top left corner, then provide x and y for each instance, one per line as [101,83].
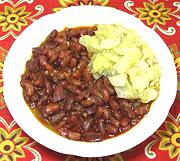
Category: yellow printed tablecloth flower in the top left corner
[13,18]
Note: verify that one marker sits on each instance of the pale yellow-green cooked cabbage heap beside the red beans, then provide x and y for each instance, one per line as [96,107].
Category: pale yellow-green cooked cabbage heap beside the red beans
[128,62]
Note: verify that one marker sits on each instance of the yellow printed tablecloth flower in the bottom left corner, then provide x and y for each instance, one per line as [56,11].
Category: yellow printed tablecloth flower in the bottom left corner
[11,145]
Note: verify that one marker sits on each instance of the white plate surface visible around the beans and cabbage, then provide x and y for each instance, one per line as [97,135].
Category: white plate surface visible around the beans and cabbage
[33,35]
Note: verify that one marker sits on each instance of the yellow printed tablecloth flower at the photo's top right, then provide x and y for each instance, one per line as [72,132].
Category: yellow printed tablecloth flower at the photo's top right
[154,13]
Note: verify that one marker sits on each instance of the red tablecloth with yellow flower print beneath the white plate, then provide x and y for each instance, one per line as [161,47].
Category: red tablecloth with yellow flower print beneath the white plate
[162,16]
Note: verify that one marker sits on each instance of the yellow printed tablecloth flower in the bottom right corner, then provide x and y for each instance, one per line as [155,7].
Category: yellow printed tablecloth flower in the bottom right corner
[170,139]
